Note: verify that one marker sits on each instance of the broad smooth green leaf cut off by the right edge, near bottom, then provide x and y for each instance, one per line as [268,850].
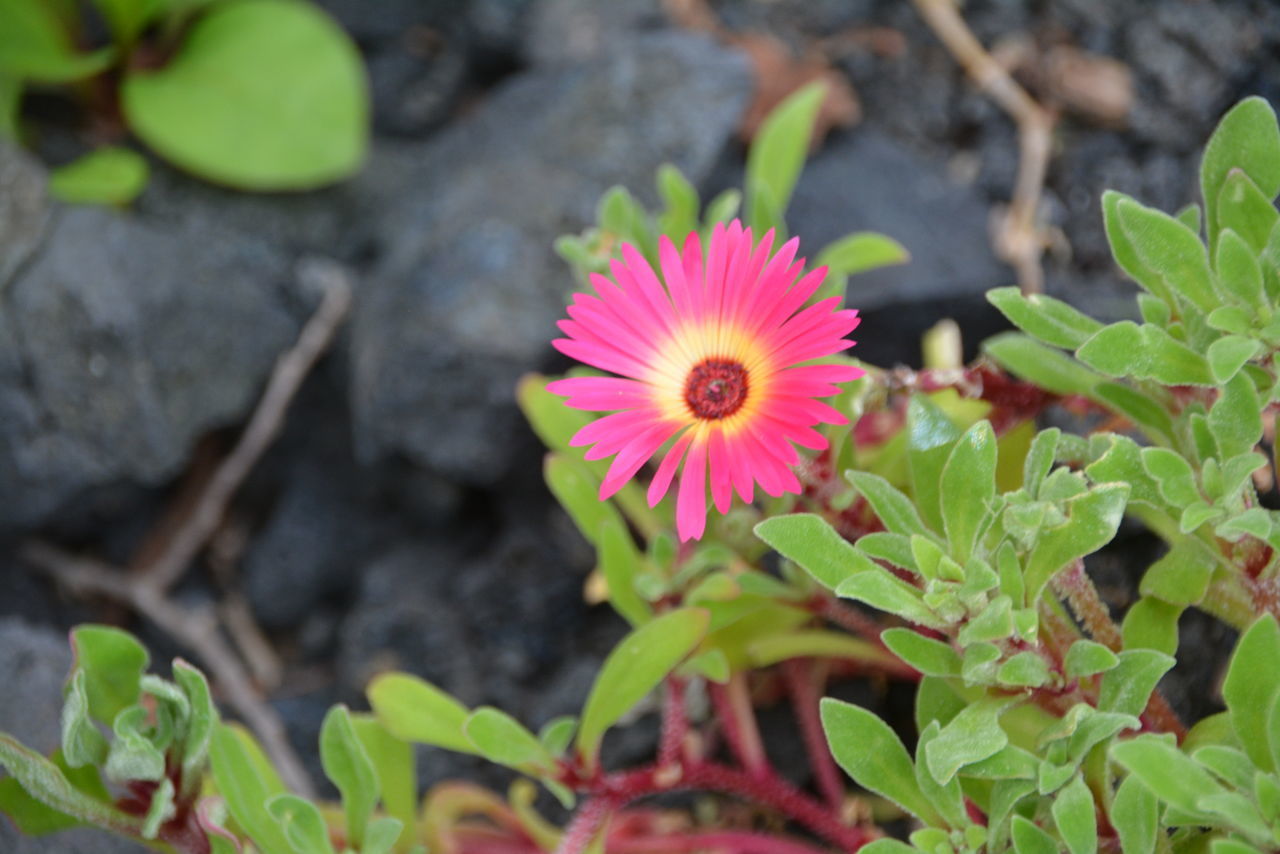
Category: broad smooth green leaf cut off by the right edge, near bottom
[1252,686]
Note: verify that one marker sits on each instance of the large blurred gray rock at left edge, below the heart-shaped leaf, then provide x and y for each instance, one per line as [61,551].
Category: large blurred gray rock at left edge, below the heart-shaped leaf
[121,344]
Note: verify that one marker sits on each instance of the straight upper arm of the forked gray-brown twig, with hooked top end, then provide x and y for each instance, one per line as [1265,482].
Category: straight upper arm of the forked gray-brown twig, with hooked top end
[291,369]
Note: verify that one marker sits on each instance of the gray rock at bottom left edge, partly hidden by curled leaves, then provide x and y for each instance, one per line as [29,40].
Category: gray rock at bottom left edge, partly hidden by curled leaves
[39,660]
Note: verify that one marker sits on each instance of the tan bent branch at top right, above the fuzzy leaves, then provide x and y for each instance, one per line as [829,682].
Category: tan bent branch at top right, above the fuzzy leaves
[1020,240]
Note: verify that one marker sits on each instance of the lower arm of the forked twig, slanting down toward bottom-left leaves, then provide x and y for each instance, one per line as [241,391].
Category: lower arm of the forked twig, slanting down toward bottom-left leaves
[195,629]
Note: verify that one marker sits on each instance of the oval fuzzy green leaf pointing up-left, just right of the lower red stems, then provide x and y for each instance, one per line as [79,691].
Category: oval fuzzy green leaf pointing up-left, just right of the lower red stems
[874,756]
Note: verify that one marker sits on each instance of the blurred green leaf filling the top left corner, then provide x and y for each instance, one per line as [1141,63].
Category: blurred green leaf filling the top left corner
[36,47]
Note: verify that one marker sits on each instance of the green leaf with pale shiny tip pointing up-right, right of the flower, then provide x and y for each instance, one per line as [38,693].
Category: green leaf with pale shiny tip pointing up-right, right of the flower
[1092,523]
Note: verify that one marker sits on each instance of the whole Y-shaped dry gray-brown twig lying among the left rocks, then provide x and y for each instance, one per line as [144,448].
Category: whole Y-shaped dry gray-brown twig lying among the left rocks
[147,588]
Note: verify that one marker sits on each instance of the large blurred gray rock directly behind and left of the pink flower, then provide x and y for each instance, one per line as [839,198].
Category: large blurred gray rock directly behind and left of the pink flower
[469,290]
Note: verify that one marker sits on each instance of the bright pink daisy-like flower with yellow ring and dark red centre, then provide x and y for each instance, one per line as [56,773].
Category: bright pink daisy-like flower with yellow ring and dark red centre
[708,355]
